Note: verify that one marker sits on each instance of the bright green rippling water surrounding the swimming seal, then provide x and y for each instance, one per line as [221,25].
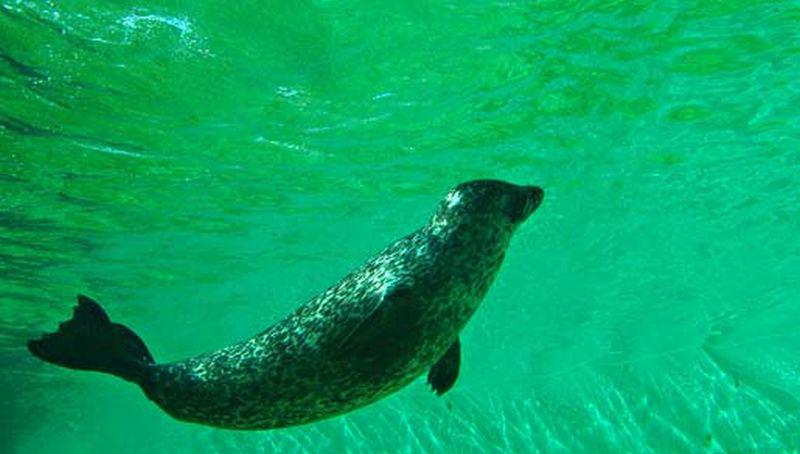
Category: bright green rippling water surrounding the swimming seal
[202,168]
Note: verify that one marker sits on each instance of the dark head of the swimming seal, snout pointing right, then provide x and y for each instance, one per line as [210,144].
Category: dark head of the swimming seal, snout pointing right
[492,201]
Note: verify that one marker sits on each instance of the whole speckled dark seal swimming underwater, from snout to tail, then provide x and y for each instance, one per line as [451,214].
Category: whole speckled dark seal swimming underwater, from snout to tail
[369,335]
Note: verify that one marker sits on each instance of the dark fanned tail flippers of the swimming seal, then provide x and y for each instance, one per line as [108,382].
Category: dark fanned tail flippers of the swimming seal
[91,341]
